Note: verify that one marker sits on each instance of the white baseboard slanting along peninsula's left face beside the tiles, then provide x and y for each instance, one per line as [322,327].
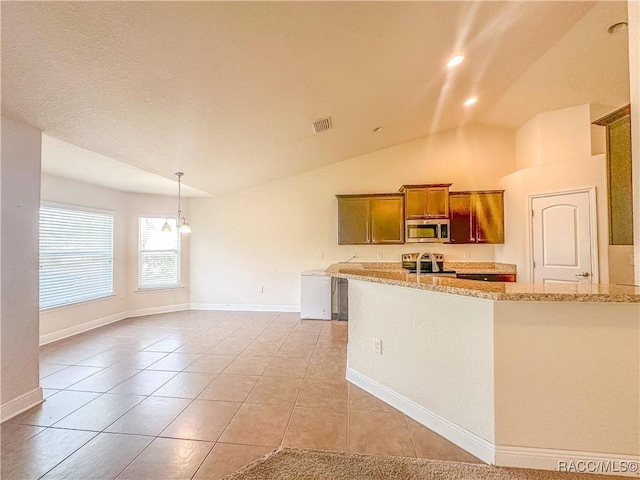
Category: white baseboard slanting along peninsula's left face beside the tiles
[469,441]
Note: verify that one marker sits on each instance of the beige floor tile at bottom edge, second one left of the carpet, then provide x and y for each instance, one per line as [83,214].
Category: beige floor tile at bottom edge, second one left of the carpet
[167,458]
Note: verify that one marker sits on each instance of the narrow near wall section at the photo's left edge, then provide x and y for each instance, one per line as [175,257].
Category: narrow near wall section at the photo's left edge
[20,192]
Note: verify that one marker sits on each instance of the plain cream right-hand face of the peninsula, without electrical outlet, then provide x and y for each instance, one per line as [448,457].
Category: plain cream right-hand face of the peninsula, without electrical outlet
[567,376]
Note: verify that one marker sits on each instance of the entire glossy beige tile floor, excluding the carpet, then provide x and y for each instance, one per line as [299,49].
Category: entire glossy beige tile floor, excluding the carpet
[197,395]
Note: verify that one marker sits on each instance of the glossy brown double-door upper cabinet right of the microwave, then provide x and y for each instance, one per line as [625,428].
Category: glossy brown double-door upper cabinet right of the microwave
[477,217]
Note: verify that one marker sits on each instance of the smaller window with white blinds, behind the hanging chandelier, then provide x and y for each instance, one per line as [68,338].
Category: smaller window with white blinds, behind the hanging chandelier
[158,254]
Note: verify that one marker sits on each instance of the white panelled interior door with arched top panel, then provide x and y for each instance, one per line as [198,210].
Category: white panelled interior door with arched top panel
[562,238]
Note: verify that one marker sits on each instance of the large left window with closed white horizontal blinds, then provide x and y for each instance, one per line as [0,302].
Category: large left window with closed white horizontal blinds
[76,256]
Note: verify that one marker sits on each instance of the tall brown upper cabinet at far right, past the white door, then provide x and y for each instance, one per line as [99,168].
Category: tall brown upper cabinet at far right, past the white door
[619,175]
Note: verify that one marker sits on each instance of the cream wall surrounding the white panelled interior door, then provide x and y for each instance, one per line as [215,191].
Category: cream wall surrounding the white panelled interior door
[553,151]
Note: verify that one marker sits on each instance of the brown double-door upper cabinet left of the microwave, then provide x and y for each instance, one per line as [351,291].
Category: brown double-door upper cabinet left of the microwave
[370,219]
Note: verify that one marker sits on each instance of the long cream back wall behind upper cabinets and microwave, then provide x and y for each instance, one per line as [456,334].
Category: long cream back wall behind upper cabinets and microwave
[265,236]
